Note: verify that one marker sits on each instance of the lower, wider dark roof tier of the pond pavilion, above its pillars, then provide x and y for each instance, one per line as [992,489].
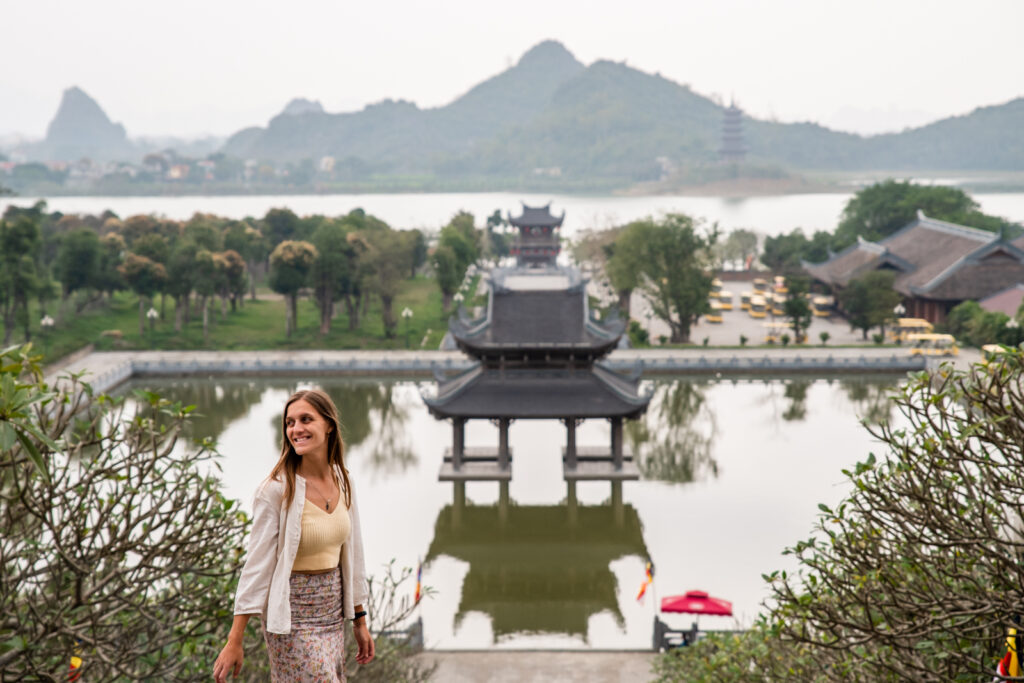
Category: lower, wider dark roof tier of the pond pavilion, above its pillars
[540,395]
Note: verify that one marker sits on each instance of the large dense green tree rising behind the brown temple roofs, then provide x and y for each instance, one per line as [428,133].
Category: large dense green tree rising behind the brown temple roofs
[880,210]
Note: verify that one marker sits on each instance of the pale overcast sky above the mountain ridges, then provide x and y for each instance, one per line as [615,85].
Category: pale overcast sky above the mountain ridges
[189,68]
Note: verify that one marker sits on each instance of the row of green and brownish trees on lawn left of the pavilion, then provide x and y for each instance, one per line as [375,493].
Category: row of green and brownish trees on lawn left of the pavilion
[82,261]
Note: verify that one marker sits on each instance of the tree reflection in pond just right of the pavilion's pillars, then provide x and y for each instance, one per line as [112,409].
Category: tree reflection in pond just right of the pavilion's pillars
[673,442]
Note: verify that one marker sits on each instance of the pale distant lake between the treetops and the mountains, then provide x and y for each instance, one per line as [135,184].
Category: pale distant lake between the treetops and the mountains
[770,216]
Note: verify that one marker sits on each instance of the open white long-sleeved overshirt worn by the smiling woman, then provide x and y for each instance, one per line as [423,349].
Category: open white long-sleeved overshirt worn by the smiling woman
[264,586]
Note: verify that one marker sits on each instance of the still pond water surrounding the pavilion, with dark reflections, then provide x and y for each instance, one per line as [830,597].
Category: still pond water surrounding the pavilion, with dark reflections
[733,474]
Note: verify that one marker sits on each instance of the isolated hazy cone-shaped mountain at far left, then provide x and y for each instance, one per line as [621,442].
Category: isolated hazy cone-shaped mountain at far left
[81,129]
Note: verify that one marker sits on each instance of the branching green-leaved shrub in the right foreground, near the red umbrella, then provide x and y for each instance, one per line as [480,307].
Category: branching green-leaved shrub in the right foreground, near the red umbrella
[917,575]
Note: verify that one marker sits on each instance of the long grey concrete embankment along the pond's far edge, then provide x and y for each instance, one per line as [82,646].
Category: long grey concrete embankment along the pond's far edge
[105,370]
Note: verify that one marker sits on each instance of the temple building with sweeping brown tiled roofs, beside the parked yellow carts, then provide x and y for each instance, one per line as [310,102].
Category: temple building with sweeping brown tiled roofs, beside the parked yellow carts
[936,265]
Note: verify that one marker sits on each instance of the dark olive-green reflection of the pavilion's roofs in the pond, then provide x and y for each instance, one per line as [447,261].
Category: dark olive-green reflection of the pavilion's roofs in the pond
[538,569]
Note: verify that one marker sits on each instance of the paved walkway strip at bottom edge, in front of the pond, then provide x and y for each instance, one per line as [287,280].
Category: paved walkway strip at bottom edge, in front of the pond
[546,667]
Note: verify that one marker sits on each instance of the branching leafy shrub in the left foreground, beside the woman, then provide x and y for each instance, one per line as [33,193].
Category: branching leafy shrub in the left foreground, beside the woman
[114,541]
